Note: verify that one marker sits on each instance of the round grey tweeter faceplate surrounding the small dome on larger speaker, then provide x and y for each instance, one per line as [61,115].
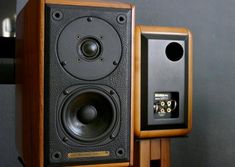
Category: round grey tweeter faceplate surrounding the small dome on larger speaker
[72,57]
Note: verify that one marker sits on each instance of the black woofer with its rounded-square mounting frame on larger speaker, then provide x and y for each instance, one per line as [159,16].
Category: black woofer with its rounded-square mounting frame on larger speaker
[88,115]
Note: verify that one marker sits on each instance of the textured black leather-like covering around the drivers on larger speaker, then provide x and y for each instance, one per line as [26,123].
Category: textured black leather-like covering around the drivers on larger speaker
[57,80]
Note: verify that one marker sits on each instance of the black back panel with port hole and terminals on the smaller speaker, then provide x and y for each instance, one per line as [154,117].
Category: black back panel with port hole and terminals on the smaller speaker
[164,81]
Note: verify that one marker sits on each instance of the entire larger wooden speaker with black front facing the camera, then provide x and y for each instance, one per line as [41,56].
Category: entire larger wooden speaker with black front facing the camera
[75,83]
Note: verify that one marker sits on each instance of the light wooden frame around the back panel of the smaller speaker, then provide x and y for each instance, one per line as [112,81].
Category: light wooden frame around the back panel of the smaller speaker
[140,29]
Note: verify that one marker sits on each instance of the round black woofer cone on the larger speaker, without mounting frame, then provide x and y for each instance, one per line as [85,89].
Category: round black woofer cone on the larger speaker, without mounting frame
[90,115]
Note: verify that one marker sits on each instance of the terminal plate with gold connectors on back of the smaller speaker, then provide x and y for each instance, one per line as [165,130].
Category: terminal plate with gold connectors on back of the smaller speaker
[166,105]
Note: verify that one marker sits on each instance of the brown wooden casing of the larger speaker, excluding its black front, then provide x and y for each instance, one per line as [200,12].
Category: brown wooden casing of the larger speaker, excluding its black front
[30,79]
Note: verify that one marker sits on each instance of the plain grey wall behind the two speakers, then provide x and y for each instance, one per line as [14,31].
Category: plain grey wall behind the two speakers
[212,22]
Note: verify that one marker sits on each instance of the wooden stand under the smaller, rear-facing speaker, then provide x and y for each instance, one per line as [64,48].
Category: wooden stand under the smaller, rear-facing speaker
[152,153]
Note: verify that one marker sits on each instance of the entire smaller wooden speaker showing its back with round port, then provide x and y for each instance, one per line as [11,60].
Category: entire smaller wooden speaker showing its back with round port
[163,81]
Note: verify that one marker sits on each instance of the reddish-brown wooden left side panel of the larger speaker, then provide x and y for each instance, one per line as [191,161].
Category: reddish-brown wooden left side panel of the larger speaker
[30,81]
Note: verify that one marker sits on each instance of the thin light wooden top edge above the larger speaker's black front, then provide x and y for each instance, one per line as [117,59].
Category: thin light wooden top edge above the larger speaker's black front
[91,3]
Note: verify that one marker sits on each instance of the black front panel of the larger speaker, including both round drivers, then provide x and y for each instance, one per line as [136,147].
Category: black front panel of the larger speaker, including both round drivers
[87,85]
